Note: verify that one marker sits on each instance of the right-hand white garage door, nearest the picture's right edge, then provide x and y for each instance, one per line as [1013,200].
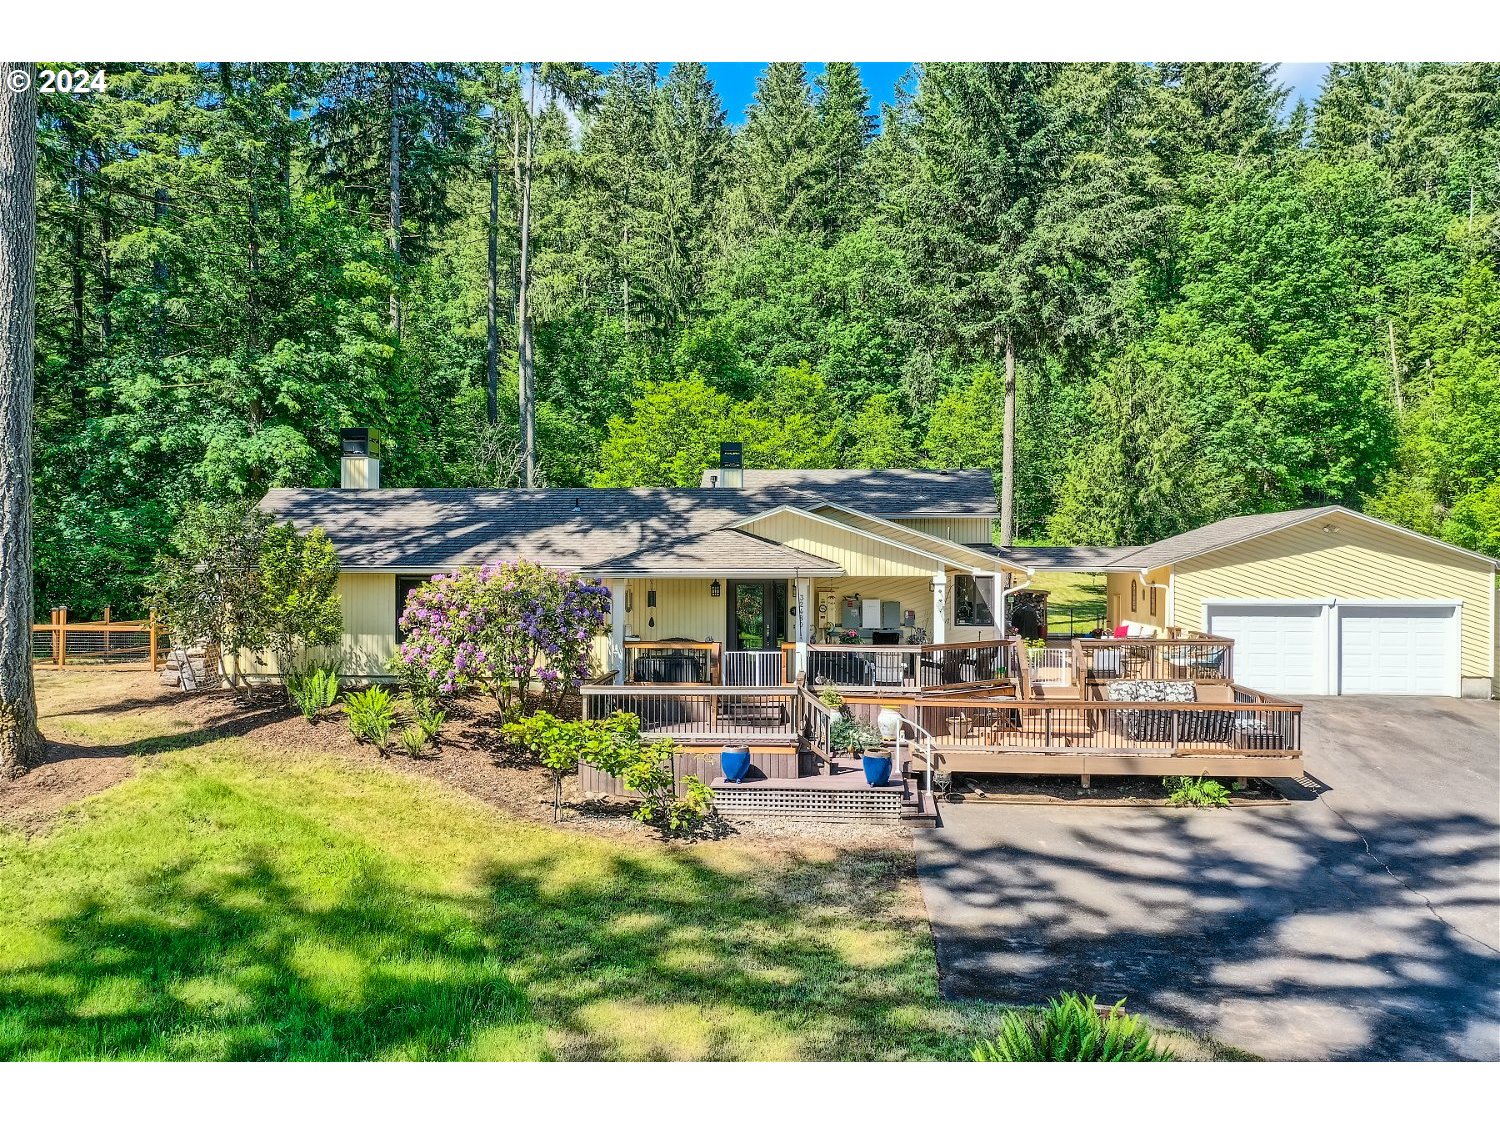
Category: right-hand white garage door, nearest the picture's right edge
[1397,650]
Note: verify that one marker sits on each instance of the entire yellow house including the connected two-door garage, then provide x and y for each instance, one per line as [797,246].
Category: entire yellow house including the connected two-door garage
[751,577]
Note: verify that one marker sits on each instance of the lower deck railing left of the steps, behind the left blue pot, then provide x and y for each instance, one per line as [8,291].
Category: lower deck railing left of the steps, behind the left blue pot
[691,713]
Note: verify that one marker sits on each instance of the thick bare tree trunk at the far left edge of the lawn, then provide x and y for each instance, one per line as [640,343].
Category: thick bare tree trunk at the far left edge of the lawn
[20,742]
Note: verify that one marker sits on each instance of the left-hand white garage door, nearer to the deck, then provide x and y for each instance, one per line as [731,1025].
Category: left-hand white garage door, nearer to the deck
[1277,649]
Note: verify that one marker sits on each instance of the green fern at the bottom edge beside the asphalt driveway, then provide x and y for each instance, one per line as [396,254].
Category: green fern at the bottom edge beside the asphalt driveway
[1072,1030]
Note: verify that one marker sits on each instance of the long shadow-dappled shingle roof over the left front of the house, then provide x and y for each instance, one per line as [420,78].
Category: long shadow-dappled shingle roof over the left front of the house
[617,530]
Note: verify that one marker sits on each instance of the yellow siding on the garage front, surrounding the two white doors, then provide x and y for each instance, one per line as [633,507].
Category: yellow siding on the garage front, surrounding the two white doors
[1358,562]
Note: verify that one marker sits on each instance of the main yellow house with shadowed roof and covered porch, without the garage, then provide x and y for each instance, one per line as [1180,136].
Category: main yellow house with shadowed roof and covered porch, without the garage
[754,569]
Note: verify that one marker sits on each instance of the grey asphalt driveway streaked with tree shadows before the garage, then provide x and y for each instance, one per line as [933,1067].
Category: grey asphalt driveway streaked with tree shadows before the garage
[1358,922]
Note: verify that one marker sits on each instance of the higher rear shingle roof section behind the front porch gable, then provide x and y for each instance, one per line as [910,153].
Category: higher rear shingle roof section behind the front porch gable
[883,493]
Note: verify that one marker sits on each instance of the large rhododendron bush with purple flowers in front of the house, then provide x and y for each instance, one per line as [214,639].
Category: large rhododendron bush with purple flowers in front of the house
[505,628]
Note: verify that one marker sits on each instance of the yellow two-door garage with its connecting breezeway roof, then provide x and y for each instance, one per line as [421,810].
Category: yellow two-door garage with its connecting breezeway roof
[1321,601]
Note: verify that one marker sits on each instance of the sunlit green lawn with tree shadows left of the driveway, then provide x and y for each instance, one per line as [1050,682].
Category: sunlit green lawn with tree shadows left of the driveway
[235,904]
